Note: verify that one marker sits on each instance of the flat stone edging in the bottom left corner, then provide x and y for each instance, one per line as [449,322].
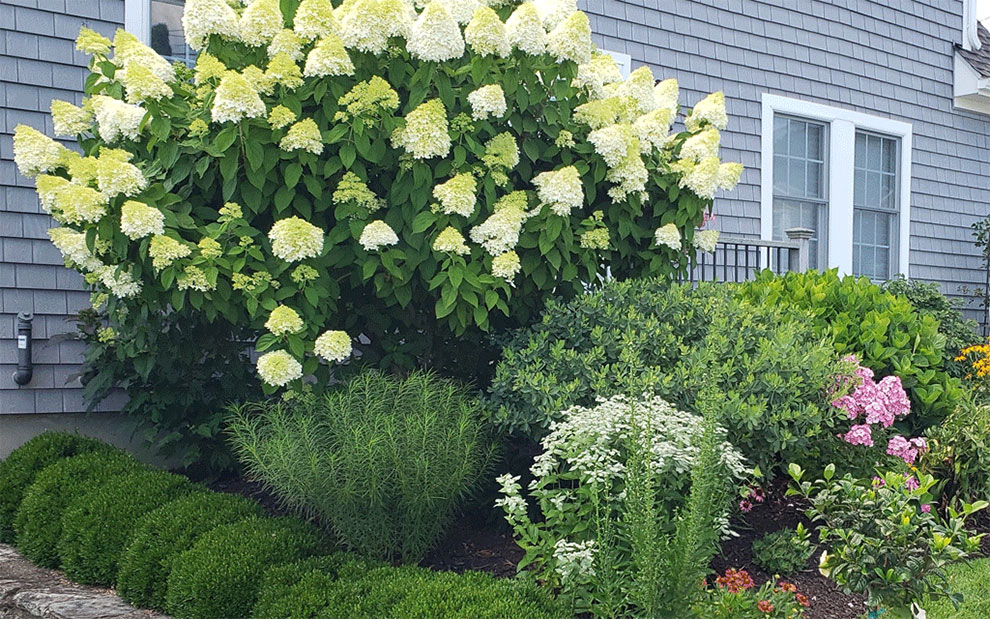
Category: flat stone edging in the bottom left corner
[28,592]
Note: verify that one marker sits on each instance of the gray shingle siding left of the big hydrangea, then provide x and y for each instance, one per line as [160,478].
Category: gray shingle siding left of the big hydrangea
[38,63]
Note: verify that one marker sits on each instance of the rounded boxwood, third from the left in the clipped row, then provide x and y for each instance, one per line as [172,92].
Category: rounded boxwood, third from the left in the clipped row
[97,526]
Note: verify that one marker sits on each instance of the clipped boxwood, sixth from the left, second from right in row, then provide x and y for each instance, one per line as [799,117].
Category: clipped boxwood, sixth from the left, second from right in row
[286,592]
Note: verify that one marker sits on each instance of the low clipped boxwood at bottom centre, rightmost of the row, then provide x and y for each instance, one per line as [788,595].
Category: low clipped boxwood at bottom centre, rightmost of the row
[410,592]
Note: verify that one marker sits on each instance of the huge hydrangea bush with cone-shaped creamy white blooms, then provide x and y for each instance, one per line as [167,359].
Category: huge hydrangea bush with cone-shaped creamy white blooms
[408,171]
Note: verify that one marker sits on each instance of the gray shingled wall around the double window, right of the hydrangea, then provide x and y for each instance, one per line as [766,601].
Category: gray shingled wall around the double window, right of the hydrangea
[890,58]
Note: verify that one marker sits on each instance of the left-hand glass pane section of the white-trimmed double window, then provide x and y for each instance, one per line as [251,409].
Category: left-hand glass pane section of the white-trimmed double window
[800,194]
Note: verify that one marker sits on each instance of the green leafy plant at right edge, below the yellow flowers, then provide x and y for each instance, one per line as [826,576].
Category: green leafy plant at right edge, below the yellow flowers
[959,454]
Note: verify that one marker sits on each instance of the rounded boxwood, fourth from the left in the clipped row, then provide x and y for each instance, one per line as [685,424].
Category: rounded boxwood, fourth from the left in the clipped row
[163,534]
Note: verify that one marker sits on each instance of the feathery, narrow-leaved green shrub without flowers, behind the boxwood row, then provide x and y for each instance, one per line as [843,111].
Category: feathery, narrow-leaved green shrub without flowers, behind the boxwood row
[384,461]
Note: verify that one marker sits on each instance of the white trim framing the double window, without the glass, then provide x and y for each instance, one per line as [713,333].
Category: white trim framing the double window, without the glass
[842,144]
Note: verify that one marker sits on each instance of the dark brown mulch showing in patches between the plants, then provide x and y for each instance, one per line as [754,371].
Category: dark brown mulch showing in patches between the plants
[479,541]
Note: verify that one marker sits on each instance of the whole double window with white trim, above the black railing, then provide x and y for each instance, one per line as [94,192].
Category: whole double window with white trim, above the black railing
[846,176]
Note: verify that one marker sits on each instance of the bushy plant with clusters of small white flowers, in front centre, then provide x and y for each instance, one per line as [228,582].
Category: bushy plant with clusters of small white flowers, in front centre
[580,479]
